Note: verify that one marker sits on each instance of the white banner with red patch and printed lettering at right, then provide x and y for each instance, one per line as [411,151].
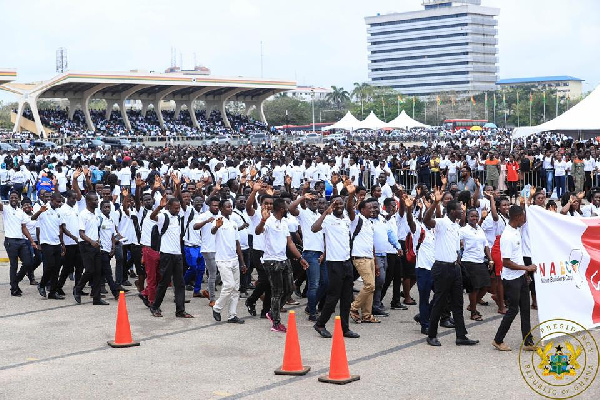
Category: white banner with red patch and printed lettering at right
[567,252]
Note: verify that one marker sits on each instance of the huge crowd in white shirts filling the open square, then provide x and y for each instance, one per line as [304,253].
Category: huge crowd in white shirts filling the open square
[286,222]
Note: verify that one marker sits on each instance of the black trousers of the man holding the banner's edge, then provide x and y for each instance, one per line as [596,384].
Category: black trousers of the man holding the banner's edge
[516,292]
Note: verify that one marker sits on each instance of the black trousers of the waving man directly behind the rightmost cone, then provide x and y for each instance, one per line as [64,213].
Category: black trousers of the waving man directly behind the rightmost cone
[341,279]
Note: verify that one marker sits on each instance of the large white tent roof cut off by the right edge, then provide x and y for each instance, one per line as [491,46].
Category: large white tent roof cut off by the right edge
[582,117]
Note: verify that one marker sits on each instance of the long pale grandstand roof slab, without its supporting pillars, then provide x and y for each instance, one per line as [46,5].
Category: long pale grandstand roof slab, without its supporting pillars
[146,85]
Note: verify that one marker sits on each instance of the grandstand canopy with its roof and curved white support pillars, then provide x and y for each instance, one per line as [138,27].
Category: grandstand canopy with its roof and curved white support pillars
[149,88]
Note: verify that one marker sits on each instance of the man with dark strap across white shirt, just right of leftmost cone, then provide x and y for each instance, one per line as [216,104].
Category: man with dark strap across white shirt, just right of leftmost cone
[170,261]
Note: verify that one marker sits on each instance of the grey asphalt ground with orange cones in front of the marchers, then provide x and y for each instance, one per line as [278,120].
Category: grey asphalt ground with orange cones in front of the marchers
[57,349]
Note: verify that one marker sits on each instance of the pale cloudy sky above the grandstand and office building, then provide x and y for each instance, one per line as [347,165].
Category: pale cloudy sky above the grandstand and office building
[320,43]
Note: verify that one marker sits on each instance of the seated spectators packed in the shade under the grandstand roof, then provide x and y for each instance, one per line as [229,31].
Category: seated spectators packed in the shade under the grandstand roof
[145,124]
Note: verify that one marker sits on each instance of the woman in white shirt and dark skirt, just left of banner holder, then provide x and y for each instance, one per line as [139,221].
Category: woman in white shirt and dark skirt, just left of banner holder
[475,248]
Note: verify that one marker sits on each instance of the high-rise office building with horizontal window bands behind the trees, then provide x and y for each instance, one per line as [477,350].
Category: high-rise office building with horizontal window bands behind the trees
[450,46]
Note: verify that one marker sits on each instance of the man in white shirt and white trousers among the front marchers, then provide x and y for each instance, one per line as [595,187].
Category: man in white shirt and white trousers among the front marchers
[228,256]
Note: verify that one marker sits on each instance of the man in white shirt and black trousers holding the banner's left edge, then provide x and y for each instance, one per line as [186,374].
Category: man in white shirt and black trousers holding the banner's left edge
[514,277]
